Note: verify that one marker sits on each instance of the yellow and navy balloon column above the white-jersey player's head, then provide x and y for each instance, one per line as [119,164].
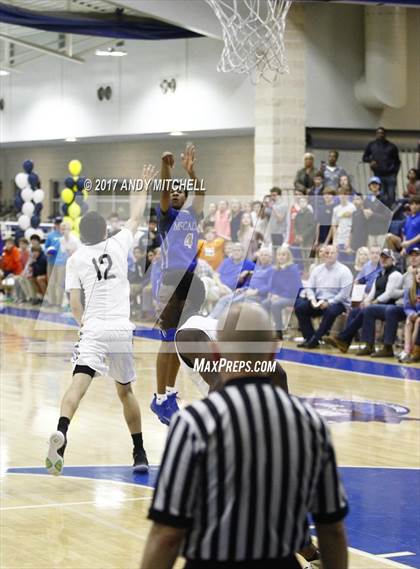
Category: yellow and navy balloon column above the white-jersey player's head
[74,196]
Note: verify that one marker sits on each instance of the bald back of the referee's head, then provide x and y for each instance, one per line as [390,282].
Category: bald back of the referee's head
[246,332]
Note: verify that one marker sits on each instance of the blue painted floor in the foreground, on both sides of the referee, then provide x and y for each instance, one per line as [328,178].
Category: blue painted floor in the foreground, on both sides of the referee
[384,504]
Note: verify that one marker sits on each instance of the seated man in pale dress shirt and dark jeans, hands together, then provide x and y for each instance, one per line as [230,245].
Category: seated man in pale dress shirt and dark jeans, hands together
[327,295]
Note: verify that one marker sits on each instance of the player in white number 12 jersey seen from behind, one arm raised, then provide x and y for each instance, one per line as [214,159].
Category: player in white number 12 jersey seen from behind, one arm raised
[99,270]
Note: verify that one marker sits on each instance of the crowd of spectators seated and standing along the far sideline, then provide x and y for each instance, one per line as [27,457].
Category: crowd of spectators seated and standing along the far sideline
[346,256]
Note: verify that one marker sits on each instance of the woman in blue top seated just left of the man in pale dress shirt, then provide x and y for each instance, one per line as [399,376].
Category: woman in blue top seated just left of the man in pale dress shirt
[285,286]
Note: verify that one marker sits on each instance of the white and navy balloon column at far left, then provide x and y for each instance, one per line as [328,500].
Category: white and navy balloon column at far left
[28,202]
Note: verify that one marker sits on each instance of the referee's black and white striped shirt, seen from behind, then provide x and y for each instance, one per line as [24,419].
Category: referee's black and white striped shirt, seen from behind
[242,469]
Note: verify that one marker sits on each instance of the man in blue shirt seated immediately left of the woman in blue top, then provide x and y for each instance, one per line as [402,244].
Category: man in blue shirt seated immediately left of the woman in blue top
[256,287]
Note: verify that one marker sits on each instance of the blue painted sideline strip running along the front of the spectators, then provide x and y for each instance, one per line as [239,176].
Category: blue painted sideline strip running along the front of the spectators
[354,365]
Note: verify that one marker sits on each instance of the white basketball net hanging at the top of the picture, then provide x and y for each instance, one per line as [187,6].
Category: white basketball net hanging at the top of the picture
[254,40]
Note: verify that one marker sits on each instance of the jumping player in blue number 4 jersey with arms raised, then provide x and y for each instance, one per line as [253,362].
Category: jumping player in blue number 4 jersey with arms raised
[178,229]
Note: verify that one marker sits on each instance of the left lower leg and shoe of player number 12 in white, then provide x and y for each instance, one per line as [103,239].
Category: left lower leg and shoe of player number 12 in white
[82,378]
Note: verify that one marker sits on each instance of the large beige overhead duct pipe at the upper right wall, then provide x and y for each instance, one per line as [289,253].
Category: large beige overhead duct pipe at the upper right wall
[385,81]
